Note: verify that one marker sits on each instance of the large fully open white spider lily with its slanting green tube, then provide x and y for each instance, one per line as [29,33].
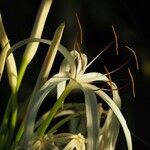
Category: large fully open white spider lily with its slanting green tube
[84,81]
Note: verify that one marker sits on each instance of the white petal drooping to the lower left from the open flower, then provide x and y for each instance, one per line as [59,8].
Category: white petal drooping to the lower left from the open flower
[36,101]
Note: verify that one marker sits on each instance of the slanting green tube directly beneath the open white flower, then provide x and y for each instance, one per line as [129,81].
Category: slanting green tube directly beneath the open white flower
[55,108]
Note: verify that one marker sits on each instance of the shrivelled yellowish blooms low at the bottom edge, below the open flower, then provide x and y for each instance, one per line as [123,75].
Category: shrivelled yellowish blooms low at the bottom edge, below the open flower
[48,142]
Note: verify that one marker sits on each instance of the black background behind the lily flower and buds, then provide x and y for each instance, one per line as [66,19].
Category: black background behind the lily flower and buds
[131,21]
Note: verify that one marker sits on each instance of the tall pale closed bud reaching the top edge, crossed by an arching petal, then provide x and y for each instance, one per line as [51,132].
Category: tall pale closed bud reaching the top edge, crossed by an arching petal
[37,30]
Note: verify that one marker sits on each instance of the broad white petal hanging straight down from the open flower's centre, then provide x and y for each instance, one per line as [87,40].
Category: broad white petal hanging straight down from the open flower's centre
[92,119]
